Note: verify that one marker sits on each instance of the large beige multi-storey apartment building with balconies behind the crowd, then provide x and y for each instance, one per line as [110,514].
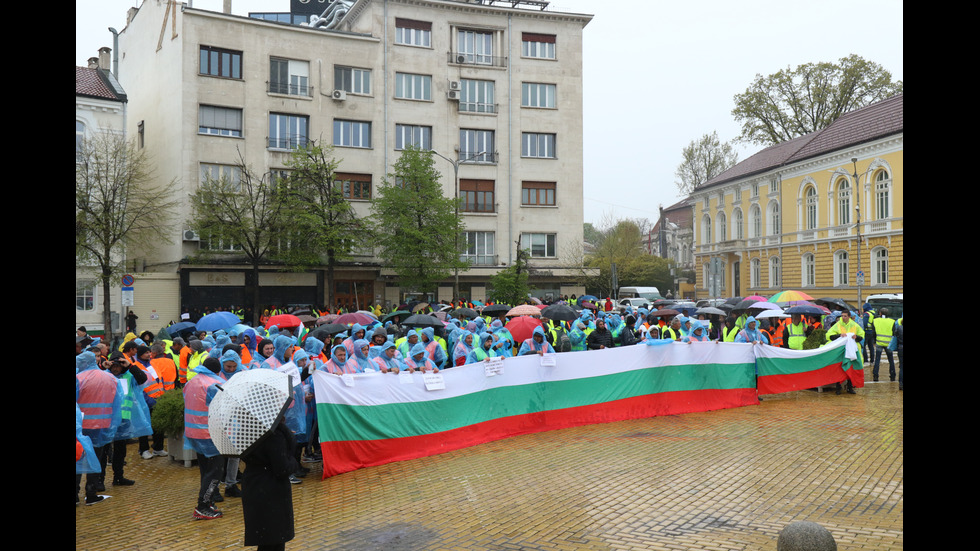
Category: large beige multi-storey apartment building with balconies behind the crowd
[493,88]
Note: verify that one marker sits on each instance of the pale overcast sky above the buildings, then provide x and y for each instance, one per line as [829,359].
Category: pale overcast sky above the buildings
[657,74]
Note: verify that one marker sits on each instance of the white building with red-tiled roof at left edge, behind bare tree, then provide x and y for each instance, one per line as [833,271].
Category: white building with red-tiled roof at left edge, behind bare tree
[100,106]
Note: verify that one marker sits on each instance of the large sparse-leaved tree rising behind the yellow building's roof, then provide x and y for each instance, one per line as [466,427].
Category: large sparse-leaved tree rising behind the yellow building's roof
[795,102]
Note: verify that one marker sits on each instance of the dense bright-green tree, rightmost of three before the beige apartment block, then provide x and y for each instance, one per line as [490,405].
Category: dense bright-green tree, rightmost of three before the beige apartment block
[419,228]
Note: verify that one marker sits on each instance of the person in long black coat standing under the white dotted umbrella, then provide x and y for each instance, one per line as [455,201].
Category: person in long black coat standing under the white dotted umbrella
[267,495]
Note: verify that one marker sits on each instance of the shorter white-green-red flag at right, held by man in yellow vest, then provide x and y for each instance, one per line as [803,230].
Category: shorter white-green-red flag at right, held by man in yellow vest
[784,370]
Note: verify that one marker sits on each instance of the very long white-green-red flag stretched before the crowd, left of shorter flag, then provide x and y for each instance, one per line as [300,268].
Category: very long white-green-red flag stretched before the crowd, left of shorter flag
[372,419]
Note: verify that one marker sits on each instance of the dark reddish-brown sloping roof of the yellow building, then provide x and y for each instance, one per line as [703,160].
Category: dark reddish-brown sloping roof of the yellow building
[861,125]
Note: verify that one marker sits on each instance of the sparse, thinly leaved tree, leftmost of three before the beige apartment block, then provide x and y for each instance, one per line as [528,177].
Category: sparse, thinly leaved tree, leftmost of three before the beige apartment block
[247,214]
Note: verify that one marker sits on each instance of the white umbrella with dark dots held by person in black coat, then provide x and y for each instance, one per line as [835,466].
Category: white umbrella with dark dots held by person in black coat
[246,408]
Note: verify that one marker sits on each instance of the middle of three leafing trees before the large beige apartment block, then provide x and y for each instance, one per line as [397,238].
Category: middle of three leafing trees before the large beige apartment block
[324,218]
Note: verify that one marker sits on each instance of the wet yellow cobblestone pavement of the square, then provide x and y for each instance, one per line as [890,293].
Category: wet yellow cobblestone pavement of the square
[719,480]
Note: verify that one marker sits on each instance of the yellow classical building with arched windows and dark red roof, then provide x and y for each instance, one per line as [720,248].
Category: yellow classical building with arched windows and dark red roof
[822,213]
